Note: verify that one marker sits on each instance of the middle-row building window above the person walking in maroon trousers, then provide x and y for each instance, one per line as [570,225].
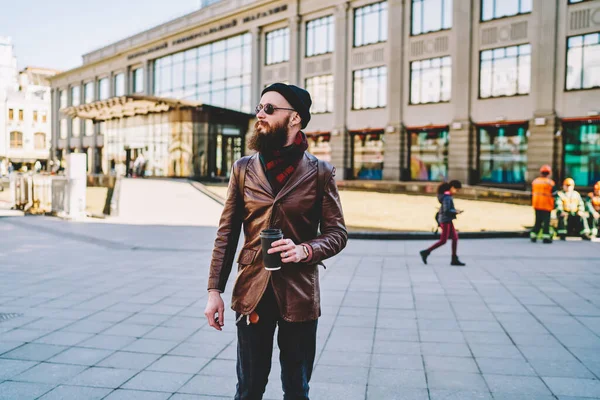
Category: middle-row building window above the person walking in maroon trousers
[430,80]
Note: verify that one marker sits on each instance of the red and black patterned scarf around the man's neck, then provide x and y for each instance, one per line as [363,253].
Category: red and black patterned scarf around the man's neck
[281,164]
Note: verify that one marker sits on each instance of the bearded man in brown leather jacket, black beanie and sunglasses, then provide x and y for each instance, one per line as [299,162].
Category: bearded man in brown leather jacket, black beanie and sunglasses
[277,187]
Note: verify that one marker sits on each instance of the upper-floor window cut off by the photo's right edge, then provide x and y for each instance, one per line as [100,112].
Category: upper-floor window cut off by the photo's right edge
[583,62]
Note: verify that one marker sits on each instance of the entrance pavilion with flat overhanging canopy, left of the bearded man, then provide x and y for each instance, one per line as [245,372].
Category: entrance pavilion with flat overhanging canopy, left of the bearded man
[170,137]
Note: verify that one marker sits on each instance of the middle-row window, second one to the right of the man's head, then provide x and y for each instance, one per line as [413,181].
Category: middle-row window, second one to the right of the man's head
[370,88]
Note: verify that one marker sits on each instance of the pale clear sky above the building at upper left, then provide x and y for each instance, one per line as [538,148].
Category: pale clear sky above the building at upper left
[56,33]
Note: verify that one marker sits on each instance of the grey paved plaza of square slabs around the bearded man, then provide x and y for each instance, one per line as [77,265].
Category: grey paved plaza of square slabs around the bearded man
[115,311]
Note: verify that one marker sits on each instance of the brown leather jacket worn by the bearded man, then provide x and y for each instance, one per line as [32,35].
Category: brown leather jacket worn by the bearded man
[295,211]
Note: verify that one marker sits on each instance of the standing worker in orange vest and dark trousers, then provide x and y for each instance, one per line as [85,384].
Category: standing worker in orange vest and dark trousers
[542,200]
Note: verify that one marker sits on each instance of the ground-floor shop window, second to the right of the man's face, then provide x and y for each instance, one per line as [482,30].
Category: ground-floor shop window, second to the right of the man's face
[367,155]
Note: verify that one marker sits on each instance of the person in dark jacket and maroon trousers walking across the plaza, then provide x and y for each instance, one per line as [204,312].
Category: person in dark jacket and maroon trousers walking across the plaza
[446,215]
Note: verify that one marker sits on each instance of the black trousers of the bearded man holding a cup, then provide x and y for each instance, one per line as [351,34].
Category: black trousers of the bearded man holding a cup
[297,348]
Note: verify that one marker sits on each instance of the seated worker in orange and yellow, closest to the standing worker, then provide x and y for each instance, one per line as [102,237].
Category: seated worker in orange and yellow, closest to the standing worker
[570,211]
